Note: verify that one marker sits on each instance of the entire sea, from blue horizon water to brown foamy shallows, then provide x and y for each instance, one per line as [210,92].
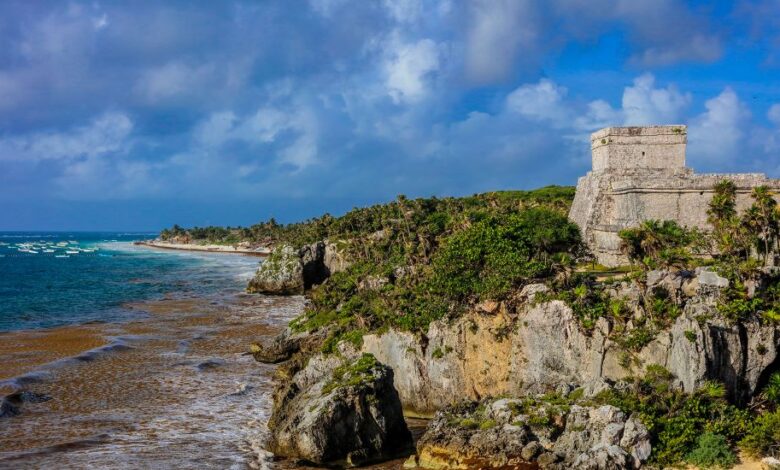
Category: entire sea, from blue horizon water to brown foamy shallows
[115,355]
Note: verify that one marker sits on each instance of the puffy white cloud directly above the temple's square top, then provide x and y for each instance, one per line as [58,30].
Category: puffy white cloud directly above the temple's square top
[644,104]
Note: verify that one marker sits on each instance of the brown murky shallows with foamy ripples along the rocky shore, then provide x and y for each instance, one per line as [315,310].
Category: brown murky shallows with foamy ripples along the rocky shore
[173,390]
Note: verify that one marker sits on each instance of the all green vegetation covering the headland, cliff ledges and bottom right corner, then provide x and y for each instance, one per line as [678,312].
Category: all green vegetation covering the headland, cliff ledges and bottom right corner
[436,258]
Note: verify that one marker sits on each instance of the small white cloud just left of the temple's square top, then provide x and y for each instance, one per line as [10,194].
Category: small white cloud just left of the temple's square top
[542,101]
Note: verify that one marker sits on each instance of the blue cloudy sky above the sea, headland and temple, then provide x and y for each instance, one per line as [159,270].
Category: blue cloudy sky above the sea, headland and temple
[118,115]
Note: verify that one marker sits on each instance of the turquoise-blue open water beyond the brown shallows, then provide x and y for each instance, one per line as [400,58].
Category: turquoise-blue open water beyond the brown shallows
[58,278]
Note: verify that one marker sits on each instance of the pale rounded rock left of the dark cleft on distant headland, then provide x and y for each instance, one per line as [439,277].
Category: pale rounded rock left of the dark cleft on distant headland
[280,274]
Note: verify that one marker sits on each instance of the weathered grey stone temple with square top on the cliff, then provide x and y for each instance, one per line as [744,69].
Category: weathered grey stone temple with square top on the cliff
[639,173]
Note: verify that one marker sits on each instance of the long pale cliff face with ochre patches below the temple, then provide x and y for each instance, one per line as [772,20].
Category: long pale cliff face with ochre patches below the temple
[541,347]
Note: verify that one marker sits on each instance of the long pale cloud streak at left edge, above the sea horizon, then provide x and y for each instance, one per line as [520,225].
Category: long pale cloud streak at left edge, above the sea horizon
[104,135]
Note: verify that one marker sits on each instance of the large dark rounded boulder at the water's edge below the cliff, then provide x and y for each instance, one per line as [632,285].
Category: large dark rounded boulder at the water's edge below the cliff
[338,411]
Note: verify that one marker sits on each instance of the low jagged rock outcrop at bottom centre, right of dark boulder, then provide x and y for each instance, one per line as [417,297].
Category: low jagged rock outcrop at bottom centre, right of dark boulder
[506,433]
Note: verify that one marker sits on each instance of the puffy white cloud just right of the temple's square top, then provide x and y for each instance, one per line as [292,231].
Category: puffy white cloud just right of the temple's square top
[717,135]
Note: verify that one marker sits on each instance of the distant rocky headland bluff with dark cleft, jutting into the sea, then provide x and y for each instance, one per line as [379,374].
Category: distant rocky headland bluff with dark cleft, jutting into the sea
[288,271]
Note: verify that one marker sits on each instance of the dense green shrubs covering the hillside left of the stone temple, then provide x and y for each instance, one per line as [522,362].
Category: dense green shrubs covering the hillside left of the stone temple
[440,256]
